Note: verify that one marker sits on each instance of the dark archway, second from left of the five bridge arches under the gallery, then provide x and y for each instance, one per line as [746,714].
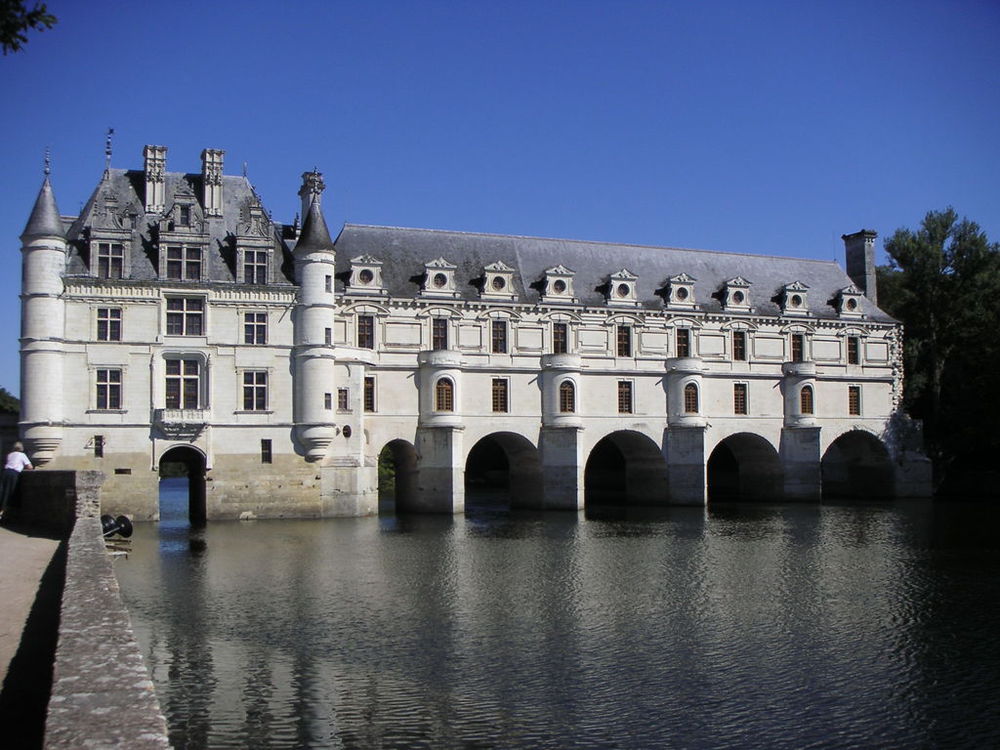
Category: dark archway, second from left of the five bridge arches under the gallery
[503,469]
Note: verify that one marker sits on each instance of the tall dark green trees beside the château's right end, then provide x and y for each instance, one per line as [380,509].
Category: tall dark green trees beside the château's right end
[943,283]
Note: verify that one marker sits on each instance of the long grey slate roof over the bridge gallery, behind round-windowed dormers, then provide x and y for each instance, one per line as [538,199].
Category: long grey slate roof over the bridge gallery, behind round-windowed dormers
[405,251]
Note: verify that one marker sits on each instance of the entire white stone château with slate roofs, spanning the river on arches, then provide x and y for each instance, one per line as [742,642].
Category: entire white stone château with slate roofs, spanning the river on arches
[174,321]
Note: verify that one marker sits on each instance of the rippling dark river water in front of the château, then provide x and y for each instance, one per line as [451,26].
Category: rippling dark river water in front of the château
[745,626]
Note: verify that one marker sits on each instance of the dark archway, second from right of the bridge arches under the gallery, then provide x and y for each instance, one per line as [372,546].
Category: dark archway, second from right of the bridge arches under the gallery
[744,467]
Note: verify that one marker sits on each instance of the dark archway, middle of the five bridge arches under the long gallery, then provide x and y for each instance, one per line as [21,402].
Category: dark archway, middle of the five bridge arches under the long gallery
[625,468]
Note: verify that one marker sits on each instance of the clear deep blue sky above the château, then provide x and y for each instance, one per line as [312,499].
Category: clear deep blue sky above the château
[762,127]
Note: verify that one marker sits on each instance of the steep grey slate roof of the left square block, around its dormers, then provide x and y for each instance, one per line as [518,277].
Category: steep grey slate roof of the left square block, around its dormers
[120,195]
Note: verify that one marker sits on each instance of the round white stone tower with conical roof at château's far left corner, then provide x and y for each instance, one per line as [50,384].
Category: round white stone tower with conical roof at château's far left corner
[43,249]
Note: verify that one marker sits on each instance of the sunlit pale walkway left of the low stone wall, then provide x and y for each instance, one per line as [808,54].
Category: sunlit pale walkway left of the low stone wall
[23,560]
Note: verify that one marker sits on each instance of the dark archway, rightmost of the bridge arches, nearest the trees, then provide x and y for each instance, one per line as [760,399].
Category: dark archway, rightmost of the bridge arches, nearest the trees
[857,465]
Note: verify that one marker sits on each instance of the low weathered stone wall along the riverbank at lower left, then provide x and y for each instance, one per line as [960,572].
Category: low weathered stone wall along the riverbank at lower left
[102,694]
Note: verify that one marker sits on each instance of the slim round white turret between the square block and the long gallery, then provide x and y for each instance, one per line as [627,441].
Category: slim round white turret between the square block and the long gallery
[314,316]
